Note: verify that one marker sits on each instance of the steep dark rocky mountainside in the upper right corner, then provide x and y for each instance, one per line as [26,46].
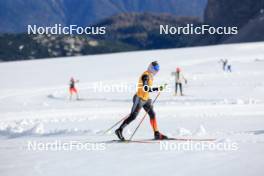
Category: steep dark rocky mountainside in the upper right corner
[248,15]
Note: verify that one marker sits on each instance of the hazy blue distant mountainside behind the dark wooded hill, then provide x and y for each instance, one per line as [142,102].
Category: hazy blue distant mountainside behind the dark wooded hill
[15,15]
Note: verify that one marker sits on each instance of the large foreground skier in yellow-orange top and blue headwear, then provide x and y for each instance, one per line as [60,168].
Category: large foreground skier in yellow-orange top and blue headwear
[142,99]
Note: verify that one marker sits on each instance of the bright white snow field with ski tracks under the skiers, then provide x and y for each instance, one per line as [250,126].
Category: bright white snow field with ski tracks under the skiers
[34,106]
